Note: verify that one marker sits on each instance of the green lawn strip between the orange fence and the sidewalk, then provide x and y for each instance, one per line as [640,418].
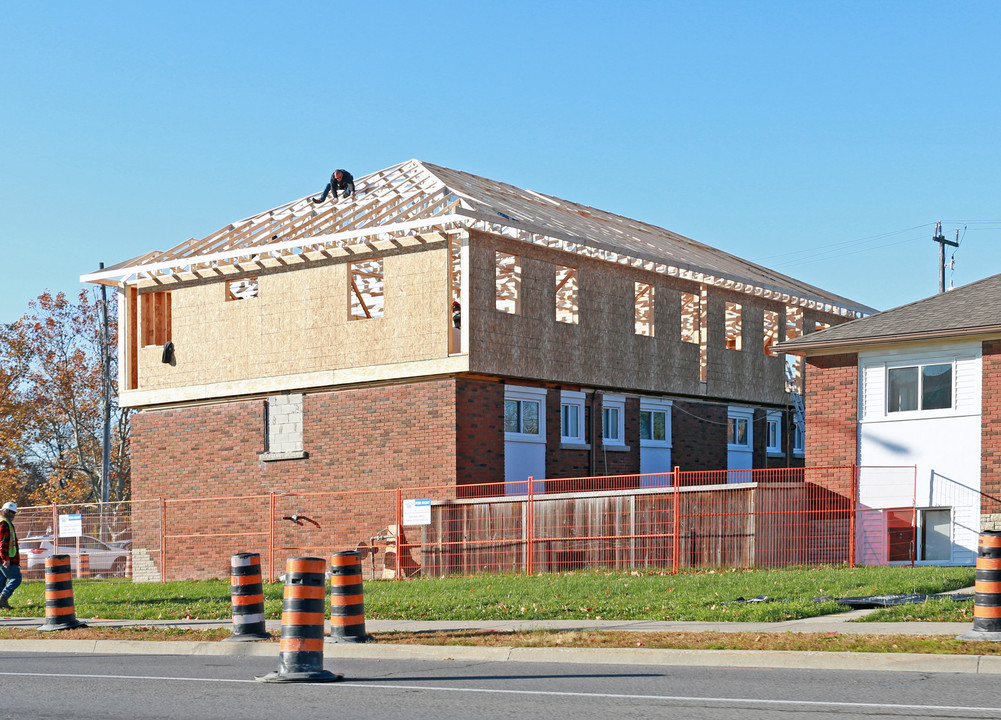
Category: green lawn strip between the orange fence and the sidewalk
[698,596]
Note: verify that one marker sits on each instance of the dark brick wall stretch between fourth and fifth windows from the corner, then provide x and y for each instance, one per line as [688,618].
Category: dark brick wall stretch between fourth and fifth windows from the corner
[699,436]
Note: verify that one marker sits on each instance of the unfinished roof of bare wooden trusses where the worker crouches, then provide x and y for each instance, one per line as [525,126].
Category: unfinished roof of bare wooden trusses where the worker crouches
[417,198]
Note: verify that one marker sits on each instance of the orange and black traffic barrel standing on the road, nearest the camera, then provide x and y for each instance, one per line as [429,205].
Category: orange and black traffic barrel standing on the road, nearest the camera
[301,653]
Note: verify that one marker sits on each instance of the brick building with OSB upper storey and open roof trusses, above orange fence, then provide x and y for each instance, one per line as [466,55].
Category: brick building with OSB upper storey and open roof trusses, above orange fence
[316,347]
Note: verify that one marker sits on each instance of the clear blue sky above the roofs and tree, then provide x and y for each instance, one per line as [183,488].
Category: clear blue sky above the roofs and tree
[823,140]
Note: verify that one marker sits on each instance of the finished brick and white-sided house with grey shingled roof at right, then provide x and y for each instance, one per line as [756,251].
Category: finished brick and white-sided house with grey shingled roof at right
[918,385]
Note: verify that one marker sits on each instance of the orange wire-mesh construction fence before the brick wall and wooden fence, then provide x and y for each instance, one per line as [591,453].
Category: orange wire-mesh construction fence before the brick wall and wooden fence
[669,522]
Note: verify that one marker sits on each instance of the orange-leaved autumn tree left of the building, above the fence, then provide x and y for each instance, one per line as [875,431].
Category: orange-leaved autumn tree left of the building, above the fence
[53,392]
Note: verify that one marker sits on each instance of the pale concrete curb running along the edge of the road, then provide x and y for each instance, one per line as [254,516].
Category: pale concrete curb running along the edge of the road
[882,662]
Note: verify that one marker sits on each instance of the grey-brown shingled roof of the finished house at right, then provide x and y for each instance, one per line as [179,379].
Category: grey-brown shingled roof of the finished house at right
[973,310]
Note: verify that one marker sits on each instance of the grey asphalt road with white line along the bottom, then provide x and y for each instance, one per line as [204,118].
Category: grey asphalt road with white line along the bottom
[141,687]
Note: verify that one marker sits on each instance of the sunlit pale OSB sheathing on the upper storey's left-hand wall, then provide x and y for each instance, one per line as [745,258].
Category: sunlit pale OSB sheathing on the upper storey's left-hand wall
[300,323]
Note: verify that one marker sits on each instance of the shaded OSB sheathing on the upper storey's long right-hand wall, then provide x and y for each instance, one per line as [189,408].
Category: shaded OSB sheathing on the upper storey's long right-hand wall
[603,350]
